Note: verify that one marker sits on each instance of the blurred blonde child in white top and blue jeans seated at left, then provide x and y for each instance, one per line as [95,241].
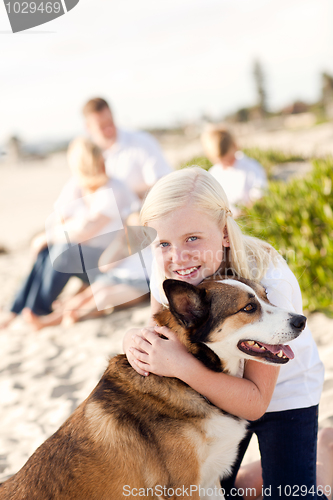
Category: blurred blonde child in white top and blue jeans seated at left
[80,231]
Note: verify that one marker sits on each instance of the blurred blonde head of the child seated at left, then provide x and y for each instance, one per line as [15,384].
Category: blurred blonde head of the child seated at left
[86,161]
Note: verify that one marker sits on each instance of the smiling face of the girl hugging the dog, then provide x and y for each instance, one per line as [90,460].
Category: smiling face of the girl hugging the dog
[190,245]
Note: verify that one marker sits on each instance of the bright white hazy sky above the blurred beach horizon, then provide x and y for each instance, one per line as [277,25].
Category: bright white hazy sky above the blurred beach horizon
[159,63]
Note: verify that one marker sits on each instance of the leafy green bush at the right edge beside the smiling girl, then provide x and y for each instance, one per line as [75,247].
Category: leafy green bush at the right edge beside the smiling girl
[297,219]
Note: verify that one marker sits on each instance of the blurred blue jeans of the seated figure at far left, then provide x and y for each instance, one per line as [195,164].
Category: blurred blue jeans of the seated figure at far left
[45,283]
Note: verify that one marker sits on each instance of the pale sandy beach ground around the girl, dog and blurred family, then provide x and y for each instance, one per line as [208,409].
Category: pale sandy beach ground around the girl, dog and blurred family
[45,375]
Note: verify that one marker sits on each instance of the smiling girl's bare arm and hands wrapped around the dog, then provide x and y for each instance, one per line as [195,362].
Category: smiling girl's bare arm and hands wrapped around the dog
[246,397]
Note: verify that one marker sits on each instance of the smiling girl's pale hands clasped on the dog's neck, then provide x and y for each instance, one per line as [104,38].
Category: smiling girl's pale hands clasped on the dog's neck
[163,357]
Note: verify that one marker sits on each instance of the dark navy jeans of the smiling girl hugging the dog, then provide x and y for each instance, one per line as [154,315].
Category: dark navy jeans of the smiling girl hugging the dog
[288,448]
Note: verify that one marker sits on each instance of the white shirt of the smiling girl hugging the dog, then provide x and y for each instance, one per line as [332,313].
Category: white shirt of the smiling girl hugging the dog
[300,381]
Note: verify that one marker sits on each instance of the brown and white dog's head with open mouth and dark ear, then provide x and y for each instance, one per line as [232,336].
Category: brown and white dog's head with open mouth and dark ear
[235,319]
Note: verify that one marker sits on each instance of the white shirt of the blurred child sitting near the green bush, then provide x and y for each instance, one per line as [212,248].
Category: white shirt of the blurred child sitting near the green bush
[243,183]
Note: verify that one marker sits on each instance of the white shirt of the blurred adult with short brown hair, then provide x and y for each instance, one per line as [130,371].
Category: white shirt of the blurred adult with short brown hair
[136,158]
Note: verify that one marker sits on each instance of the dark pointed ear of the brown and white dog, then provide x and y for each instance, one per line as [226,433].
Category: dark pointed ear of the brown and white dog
[187,303]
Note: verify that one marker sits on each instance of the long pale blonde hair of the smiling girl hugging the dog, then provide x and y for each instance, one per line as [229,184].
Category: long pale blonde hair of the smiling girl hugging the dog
[248,257]
